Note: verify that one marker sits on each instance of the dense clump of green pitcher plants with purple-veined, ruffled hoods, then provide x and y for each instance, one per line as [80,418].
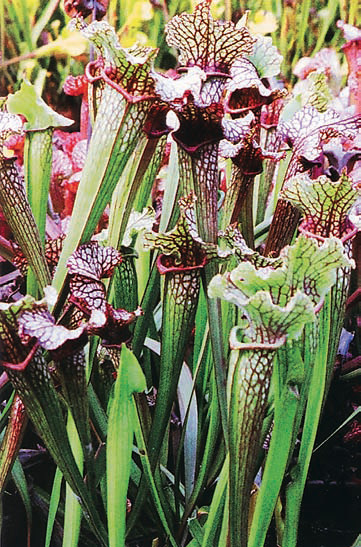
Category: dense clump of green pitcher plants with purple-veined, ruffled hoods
[177,271]
